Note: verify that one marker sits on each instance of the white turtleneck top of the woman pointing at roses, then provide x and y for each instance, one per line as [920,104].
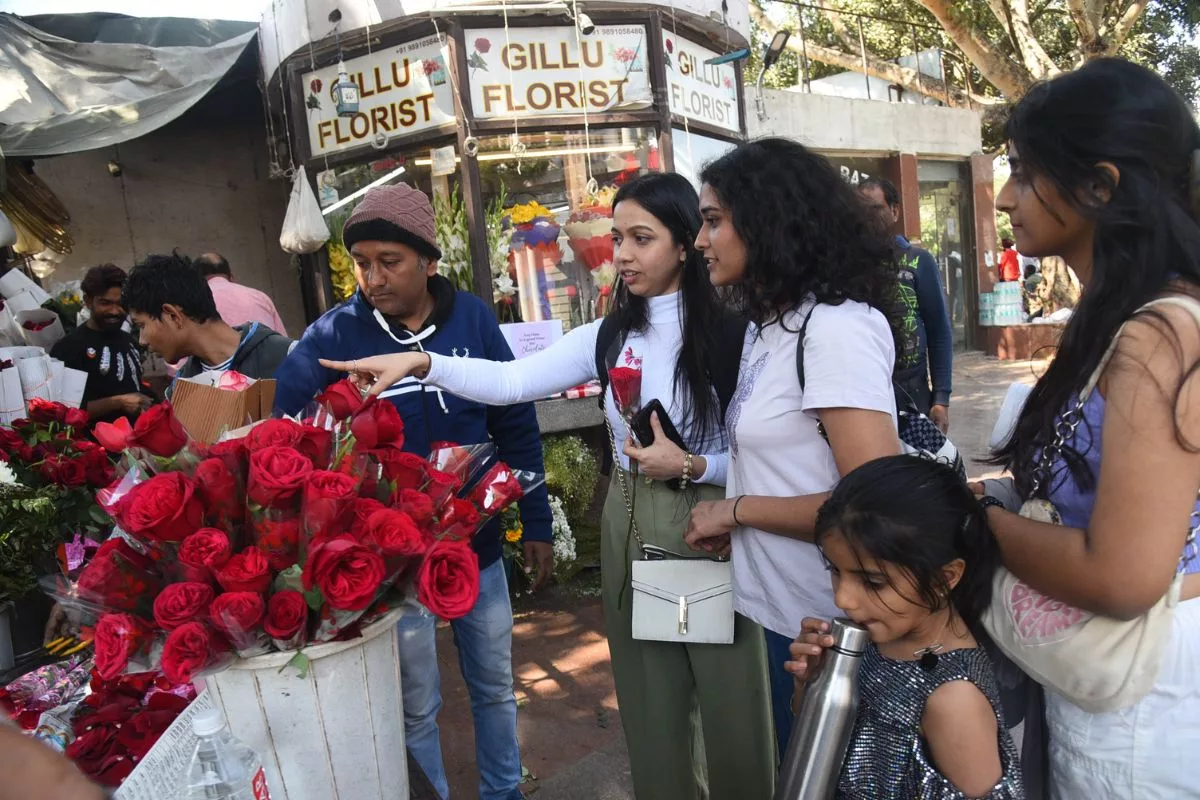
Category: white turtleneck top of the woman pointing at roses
[573,362]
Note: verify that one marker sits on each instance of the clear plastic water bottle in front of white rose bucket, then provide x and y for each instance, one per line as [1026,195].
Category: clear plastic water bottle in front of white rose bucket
[223,768]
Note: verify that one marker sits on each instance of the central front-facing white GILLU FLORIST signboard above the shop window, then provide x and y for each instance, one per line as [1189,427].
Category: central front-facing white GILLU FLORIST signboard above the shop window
[550,71]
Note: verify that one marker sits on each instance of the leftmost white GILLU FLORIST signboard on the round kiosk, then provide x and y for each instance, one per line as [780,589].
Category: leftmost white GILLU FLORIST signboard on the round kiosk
[401,91]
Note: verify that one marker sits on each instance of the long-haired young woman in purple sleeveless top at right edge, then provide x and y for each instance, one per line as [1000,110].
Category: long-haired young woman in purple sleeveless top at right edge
[1112,188]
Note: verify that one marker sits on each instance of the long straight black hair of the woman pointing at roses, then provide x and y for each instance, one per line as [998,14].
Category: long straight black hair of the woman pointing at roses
[674,202]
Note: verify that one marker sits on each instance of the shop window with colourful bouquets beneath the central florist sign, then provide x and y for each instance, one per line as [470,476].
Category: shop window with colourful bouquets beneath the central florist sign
[549,208]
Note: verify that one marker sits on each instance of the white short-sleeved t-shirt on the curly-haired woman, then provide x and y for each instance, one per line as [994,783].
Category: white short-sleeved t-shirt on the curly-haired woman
[776,449]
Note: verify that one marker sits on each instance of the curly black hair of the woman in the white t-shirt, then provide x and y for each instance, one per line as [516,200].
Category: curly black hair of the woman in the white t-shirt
[805,228]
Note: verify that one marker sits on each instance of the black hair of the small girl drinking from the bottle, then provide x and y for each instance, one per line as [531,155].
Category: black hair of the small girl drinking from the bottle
[919,515]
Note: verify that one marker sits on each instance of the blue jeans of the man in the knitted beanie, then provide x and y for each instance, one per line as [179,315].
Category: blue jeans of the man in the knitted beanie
[484,639]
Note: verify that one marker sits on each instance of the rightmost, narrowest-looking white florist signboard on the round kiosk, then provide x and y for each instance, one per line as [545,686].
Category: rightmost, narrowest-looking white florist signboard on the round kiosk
[703,93]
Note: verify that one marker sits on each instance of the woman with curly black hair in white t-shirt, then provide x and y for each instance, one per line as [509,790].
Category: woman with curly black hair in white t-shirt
[815,276]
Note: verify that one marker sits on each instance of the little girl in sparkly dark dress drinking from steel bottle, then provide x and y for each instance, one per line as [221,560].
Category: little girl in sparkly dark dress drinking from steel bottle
[911,560]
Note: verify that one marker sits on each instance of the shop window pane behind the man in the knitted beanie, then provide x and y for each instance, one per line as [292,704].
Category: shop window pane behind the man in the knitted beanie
[340,190]
